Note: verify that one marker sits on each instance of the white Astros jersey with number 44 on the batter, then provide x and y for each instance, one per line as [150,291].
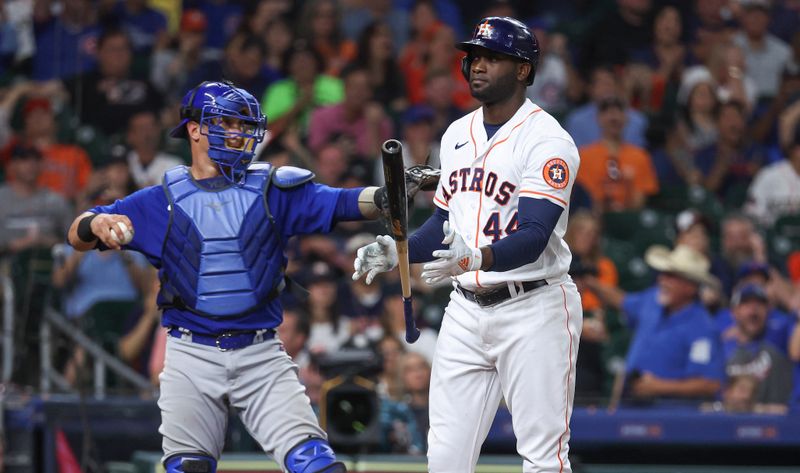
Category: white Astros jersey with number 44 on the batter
[483,179]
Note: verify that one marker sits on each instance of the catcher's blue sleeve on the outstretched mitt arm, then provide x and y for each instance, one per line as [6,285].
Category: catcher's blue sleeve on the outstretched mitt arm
[309,208]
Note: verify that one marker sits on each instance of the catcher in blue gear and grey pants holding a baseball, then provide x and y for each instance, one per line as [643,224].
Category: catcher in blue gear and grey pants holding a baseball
[216,231]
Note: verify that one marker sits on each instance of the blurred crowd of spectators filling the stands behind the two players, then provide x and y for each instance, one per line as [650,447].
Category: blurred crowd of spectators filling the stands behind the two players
[685,223]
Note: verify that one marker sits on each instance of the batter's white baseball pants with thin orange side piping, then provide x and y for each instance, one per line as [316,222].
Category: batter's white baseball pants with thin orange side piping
[523,350]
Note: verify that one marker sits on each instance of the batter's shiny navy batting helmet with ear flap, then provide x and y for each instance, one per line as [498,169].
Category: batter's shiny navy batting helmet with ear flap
[504,35]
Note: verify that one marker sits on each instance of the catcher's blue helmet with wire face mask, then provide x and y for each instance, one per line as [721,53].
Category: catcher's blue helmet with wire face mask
[209,104]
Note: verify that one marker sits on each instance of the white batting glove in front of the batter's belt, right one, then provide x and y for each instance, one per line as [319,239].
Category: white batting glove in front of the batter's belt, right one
[459,259]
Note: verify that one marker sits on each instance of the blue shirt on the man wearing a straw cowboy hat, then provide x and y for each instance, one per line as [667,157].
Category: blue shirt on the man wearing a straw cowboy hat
[680,345]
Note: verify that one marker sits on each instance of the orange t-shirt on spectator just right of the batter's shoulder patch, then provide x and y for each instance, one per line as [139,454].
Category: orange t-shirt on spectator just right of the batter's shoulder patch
[612,182]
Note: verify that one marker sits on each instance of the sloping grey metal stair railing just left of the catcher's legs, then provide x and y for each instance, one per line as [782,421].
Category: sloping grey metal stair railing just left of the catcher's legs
[102,360]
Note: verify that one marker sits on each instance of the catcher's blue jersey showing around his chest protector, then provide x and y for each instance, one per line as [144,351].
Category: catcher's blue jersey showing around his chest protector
[309,208]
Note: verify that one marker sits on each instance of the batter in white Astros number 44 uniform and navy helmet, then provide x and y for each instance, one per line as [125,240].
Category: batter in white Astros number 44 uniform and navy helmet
[512,326]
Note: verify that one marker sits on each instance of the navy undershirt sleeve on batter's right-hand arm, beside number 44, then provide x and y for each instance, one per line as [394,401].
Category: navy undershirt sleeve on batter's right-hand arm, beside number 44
[537,220]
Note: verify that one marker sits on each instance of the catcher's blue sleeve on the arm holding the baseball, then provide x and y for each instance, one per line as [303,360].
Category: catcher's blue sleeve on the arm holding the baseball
[147,209]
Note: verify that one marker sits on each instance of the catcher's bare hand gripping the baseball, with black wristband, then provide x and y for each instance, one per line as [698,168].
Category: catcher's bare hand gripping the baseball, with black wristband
[89,228]
